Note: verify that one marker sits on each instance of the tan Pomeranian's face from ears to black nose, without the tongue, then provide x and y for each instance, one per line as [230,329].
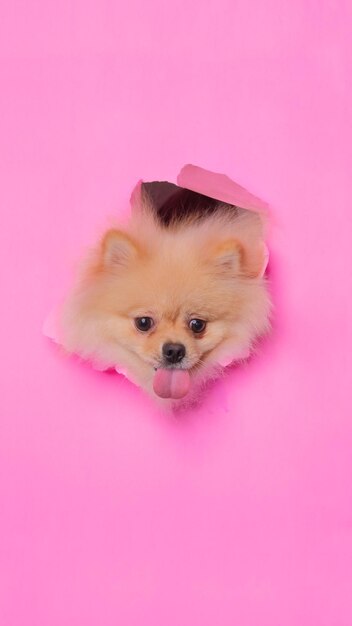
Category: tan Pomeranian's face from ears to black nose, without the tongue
[172,305]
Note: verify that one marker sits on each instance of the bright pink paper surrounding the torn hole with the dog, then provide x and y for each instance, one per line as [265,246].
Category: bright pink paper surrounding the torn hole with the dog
[241,512]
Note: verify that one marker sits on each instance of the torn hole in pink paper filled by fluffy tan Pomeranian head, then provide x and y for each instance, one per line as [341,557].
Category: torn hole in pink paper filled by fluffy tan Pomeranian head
[174,296]
